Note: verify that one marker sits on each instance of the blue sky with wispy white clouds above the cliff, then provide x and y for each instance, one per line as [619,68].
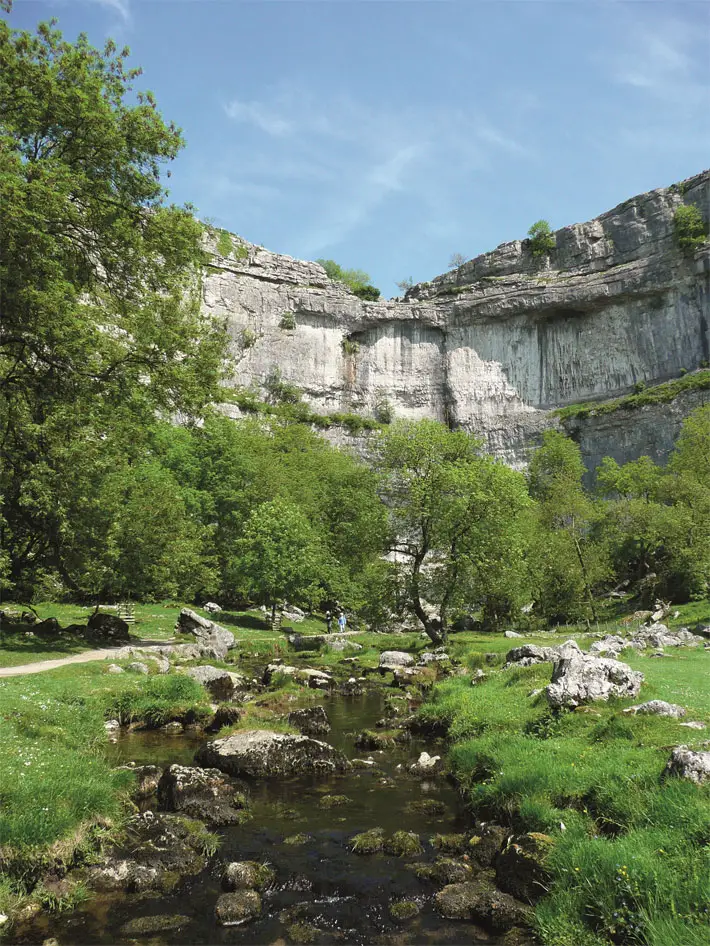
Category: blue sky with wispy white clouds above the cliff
[389,135]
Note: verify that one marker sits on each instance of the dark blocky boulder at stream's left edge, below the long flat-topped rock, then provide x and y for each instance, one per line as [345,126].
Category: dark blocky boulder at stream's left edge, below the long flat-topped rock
[206,794]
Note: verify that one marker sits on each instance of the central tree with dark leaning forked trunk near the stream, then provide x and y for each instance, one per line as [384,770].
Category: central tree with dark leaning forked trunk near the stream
[457,518]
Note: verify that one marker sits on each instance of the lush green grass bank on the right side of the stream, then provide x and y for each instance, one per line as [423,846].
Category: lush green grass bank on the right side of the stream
[632,864]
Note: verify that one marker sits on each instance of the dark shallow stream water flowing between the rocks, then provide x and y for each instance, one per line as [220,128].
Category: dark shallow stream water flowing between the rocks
[320,882]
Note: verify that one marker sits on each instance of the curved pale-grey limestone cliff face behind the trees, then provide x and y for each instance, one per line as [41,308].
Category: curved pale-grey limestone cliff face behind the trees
[494,345]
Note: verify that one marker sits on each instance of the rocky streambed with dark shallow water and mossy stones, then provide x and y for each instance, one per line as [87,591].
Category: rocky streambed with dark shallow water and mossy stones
[355,848]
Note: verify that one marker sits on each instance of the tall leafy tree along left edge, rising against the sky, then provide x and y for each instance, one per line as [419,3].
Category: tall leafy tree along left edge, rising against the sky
[100,324]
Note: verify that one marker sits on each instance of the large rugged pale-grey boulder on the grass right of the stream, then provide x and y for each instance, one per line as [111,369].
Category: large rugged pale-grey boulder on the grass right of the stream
[584,678]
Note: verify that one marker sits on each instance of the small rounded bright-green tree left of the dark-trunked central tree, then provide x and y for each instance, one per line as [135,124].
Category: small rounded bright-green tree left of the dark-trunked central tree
[281,556]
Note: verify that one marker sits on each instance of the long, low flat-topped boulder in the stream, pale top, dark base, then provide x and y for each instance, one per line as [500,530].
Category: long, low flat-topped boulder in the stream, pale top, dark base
[260,753]
